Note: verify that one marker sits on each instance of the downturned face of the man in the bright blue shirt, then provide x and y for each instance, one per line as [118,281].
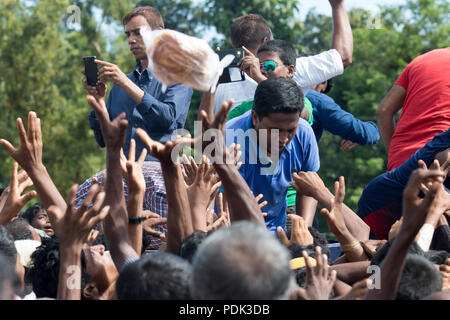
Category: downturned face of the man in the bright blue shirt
[286,123]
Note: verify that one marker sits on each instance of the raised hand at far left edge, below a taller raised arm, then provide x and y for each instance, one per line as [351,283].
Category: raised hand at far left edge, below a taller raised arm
[14,200]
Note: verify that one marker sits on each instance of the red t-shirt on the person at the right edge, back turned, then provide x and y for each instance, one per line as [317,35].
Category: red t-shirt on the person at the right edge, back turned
[426,109]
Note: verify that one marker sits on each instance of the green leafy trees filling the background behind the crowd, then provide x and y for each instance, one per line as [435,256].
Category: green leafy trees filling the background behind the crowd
[41,58]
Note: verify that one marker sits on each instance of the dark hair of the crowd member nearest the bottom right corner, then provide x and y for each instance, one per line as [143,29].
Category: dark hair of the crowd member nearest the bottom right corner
[419,279]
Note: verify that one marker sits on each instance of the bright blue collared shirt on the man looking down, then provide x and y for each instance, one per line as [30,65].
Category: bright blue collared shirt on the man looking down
[301,154]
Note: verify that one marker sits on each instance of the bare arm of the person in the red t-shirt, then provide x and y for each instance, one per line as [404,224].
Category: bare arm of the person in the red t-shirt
[389,106]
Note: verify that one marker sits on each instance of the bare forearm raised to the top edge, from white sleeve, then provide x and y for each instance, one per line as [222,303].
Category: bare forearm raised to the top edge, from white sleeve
[342,39]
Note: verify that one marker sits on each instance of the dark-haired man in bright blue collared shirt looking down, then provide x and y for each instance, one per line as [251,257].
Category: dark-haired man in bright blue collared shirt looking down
[269,158]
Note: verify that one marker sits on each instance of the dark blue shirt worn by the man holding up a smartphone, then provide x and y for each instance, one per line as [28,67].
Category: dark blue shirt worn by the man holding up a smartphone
[159,113]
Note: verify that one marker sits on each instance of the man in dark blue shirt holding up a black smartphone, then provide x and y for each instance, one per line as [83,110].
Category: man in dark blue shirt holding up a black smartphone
[139,94]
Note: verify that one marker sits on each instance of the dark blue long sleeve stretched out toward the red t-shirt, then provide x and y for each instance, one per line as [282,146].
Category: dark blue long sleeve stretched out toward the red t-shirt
[327,115]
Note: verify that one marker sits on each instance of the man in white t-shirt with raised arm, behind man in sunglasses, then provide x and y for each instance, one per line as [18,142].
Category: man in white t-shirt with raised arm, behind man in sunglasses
[251,31]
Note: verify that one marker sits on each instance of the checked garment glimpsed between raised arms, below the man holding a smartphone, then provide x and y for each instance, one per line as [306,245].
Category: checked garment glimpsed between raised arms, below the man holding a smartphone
[154,199]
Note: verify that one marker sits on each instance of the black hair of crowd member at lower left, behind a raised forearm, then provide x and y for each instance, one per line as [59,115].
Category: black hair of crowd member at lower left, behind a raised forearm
[44,270]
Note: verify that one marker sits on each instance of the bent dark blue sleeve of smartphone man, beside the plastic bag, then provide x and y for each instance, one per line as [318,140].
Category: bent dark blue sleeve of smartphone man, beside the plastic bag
[162,114]
